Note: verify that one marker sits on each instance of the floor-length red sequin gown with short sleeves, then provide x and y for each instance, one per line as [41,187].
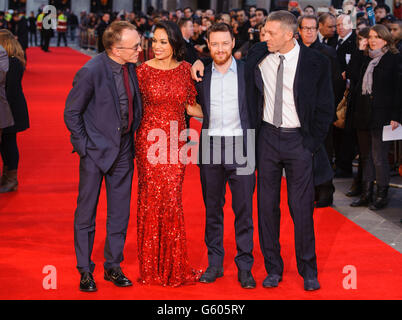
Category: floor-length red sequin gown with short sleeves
[162,249]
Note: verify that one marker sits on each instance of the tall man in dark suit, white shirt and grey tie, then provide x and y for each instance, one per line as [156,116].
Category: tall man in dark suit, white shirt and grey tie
[290,85]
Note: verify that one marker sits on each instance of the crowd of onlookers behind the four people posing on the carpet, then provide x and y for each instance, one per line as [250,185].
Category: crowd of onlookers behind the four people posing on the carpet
[339,40]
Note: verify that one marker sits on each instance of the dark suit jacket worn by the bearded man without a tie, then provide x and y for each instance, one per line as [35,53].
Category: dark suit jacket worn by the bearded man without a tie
[204,96]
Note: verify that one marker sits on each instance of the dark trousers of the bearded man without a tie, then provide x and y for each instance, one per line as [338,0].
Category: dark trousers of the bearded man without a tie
[214,178]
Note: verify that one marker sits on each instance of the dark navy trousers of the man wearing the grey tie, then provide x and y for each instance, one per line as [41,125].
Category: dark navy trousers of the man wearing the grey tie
[277,150]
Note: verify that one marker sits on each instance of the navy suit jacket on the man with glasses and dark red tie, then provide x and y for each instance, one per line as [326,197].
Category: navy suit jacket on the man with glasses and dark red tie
[92,112]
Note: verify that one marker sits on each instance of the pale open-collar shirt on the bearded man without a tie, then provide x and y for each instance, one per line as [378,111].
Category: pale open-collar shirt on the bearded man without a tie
[224,118]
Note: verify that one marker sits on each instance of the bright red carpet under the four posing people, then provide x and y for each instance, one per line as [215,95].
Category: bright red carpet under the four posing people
[36,223]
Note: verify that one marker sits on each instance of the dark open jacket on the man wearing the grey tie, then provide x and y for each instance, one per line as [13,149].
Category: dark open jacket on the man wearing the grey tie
[314,99]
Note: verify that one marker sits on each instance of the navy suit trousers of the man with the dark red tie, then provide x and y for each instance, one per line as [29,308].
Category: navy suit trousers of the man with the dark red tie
[118,191]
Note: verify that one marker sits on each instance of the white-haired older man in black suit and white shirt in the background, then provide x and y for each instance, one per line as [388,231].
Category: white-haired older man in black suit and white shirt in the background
[344,141]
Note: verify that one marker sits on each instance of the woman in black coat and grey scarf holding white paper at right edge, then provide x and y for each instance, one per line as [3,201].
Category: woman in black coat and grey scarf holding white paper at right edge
[376,102]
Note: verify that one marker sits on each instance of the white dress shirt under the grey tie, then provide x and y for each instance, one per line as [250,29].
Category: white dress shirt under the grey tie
[269,70]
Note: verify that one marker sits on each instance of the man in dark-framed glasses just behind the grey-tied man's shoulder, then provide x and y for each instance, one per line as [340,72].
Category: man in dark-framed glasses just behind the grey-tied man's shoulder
[308,31]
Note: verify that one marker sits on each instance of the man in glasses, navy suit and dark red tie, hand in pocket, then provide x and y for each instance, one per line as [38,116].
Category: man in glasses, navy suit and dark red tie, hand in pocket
[103,110]
